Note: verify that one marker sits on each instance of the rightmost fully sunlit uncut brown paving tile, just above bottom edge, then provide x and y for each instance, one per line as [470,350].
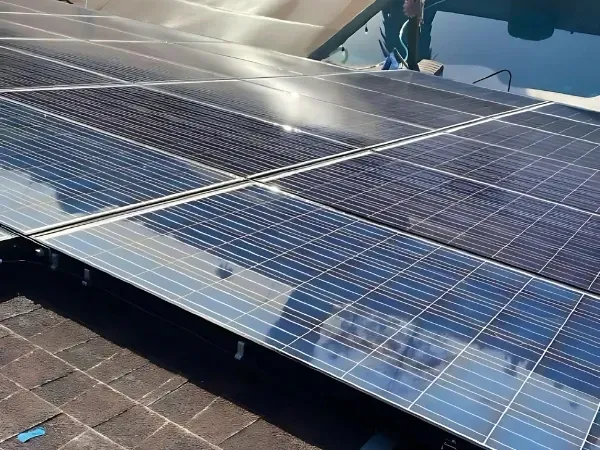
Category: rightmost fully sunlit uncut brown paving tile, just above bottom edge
[220,420]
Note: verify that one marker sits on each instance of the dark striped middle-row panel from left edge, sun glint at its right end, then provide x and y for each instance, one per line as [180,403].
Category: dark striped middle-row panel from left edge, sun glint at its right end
[214,137]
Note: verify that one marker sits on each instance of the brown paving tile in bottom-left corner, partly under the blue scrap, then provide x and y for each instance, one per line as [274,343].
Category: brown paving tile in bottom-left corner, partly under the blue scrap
[59,430]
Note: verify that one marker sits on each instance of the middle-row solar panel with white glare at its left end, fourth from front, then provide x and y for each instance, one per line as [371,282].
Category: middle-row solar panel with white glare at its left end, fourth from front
[416,113]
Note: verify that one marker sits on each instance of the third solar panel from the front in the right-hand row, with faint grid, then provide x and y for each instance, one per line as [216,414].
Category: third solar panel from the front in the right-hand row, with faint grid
[555,177]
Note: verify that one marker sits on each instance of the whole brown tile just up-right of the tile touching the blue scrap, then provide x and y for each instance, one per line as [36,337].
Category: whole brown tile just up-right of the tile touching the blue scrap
[97,405]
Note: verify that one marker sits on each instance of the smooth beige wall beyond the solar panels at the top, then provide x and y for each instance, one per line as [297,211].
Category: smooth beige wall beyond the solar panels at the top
[290,26]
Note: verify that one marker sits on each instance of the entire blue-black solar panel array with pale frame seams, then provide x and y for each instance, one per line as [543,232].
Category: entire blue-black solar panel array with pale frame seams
[431,243]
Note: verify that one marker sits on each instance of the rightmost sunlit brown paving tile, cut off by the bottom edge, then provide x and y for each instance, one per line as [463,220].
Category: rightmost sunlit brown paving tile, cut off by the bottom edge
[262,435]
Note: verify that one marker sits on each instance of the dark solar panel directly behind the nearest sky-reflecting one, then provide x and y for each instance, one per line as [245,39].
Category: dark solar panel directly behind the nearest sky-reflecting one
[538,236]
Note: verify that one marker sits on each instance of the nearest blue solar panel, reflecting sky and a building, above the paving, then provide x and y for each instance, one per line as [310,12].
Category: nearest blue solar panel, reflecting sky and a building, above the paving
[501,358]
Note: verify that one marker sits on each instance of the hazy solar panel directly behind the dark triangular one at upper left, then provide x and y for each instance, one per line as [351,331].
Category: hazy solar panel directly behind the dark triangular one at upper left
[113,62]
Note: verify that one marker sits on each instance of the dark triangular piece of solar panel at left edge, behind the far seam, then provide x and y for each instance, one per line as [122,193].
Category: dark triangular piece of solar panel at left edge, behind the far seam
[20,70]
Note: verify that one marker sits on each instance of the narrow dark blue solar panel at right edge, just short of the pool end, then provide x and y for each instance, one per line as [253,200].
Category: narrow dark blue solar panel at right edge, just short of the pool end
[558,125]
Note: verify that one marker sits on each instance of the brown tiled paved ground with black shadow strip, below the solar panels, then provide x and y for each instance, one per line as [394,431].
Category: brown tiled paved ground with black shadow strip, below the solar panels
[99,374]
